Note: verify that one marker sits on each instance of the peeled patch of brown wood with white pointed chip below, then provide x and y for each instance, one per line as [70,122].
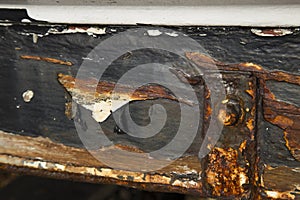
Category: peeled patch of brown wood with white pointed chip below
[102,98]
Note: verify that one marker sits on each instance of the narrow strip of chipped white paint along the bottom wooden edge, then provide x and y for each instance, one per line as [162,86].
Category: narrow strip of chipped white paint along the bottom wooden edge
[97,172]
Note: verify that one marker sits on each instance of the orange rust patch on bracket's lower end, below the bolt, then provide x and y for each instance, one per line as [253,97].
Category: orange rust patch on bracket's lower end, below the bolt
[224,174]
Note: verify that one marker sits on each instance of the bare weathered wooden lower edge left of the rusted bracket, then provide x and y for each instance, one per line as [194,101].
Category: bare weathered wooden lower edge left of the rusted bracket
[28,155]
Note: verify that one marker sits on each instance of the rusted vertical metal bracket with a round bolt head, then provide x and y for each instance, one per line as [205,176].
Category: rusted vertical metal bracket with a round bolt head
[230,164]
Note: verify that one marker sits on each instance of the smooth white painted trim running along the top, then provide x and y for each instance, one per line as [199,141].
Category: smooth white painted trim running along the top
[208,15]
